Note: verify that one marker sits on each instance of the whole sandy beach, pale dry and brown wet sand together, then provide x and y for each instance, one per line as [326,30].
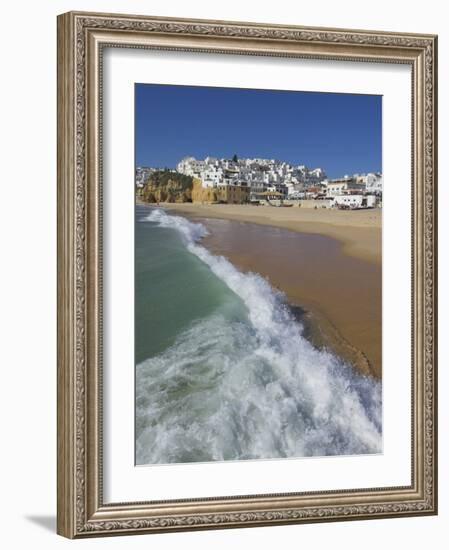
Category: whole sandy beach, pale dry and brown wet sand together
[327,262]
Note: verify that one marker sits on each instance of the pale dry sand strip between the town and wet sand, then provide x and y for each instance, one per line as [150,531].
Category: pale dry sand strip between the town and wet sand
[358,231]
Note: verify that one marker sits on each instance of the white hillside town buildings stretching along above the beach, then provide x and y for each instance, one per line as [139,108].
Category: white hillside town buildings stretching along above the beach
[269,181]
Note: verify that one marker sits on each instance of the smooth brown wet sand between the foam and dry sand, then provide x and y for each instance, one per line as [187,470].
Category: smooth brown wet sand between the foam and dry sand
[337,296]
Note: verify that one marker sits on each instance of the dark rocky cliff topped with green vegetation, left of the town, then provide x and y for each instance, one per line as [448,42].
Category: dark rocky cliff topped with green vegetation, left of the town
[167,186]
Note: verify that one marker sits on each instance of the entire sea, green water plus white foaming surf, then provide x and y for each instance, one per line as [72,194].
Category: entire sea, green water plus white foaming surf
[224,370]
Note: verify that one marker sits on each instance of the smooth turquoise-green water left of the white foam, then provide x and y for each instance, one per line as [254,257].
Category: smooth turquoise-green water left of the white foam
[173,289]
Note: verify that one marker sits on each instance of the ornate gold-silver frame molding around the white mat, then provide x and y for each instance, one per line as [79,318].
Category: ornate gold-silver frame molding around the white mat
[81,39]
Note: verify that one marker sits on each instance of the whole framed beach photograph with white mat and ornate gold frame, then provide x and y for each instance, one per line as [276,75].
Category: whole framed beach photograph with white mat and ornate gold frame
[246,274]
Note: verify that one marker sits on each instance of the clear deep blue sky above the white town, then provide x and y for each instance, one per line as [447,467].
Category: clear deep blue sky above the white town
[341,133]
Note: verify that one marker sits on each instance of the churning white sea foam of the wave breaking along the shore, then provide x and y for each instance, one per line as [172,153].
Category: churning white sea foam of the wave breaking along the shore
[252,388]
